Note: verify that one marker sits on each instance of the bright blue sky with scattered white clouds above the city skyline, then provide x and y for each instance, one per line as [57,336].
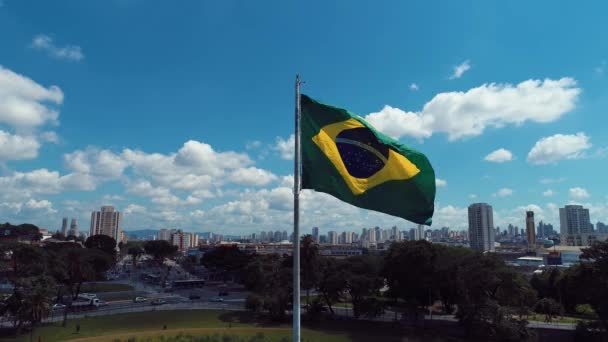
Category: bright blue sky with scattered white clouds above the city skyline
[180,114]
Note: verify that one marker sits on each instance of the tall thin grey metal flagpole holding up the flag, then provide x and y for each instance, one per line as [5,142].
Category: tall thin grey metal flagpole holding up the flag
[296,218]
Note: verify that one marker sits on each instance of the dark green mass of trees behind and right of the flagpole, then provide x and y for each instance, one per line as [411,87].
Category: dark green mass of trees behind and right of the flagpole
[489,298]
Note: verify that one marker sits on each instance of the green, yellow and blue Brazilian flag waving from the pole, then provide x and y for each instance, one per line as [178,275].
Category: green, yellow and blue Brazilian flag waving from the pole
[344,156]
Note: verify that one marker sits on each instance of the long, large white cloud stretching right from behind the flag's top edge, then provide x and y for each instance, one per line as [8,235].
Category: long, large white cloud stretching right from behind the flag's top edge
[467,114]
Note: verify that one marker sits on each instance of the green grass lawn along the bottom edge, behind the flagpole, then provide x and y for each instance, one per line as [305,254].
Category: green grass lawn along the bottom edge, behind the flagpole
[210,322]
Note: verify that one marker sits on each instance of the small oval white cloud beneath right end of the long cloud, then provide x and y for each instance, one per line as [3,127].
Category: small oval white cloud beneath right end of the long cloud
[549,150]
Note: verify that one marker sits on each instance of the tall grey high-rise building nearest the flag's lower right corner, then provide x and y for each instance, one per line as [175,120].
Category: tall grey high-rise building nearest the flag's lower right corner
[481,227]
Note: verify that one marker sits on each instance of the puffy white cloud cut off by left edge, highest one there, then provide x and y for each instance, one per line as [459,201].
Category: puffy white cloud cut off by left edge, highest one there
[24,103]
